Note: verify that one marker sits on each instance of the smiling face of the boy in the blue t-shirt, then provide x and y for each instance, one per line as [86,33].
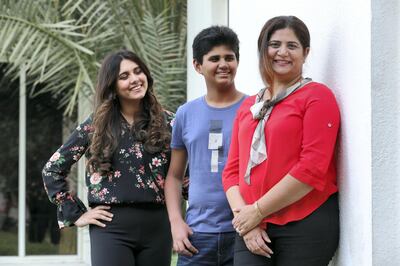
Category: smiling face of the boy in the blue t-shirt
[219,67]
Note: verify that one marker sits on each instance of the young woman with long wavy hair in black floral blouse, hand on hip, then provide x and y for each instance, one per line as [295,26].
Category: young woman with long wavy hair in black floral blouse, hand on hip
[126,142]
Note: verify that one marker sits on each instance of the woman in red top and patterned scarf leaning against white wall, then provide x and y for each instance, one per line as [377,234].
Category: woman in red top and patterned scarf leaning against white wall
[280,178]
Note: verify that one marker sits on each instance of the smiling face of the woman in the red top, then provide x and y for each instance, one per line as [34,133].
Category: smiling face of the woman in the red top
[286,54]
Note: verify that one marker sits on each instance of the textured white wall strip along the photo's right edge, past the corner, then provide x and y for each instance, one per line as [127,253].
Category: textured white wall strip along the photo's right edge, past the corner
[386,131]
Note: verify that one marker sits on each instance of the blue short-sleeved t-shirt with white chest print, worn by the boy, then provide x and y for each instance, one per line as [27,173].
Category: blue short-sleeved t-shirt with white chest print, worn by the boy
[195,123]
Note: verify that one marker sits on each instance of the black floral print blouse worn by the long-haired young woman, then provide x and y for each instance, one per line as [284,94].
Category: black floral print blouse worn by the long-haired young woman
[136,177]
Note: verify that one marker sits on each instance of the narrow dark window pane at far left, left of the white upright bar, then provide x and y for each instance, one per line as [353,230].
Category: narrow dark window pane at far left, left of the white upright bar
[9,126]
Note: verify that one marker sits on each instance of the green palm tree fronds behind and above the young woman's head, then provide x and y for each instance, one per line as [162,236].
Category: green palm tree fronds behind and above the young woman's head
[60,43]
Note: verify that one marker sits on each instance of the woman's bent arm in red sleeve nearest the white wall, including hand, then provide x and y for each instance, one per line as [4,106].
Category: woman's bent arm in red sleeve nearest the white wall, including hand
[320,128]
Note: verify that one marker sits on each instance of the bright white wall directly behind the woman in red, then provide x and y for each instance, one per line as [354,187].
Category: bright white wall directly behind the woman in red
[341,58]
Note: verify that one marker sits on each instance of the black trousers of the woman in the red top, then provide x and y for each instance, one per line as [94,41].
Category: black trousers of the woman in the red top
[308,242]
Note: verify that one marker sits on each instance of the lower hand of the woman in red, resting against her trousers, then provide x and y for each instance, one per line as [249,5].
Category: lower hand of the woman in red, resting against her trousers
[256,240]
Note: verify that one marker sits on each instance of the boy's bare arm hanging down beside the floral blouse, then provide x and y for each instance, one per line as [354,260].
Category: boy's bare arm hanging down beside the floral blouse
[173,190]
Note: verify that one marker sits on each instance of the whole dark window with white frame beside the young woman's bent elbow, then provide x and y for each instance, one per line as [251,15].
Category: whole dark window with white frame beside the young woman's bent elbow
[31,129]
